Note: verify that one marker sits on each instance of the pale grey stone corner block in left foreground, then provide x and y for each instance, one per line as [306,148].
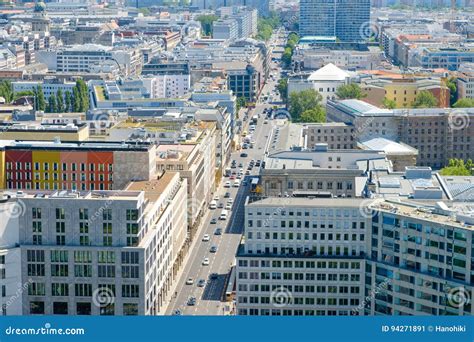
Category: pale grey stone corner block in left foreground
[96,252]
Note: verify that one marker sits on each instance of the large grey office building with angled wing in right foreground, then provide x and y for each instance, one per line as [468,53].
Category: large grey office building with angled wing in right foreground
[406,251]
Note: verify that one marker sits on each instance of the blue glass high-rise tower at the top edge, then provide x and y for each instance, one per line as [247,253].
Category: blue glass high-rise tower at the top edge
[344,19]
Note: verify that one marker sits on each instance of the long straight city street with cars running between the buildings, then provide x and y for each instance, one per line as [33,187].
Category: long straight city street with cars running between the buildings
[209,298]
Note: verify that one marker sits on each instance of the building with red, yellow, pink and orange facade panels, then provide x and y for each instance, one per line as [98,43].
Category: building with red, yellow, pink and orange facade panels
[74,166]
